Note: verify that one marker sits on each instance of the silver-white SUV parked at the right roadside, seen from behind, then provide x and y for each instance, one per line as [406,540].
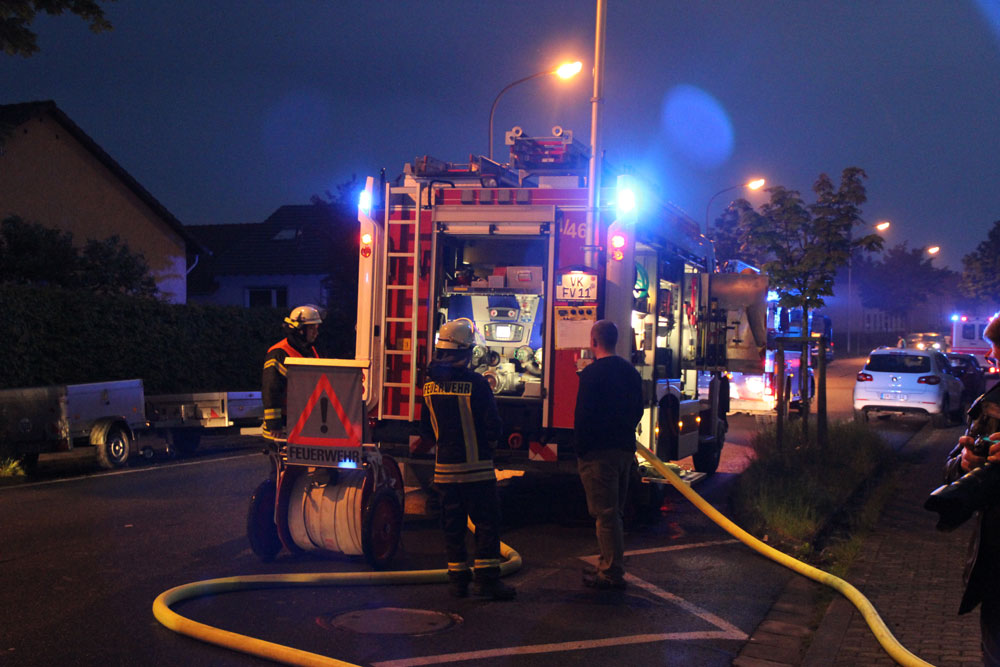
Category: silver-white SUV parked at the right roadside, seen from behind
[908,381]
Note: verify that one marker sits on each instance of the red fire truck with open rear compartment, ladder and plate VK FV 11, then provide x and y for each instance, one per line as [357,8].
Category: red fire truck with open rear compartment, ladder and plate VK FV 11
[506,246]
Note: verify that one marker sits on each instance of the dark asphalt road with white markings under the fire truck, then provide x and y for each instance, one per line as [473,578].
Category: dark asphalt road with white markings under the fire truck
[83,557]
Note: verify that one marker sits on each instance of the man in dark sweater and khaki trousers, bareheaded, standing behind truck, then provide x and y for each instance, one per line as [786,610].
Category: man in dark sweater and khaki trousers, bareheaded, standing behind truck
[608,408]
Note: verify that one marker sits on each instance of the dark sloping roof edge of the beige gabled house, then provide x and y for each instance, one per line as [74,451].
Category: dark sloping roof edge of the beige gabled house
[15,115]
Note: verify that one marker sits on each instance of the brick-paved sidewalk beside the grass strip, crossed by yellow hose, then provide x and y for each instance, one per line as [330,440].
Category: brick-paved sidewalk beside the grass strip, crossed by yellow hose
[910,572]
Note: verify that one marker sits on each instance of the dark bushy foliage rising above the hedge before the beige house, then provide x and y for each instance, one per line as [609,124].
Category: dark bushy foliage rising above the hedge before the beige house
[31,254]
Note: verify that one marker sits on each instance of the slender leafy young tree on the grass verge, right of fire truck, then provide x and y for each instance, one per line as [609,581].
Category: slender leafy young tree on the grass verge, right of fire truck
[802,246]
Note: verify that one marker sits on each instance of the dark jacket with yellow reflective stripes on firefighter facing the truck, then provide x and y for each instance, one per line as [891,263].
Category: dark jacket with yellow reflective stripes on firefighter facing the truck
[461,415]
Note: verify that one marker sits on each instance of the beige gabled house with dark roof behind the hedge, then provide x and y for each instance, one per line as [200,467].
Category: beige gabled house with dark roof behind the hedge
[52,173]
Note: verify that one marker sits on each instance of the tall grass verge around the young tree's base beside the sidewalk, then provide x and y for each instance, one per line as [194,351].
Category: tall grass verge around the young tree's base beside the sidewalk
[811,502]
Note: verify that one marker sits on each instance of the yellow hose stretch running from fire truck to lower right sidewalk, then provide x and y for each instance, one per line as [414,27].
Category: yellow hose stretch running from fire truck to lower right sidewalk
[878,627]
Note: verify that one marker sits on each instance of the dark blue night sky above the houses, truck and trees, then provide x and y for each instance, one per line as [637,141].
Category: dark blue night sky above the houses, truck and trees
[225,110]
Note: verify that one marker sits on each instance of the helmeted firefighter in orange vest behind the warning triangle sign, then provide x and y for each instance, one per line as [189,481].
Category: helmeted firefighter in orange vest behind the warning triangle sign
[301,327]
